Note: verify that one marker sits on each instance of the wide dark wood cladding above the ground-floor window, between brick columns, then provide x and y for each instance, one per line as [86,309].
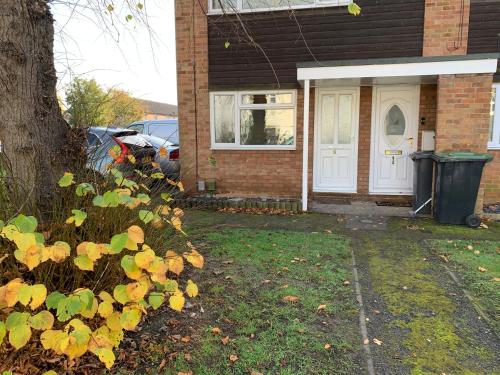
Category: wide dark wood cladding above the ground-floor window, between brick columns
[385,28]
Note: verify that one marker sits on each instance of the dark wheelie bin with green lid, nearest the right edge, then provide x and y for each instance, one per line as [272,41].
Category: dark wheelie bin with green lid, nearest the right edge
[457,179]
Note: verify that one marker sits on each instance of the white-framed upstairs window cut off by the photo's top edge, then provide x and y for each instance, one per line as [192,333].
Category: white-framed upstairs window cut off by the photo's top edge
[229,6]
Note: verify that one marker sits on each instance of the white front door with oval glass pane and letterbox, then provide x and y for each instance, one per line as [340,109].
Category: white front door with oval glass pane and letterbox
[394,138]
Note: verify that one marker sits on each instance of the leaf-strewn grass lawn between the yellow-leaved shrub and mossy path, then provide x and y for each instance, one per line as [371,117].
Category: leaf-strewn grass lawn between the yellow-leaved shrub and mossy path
[274,302]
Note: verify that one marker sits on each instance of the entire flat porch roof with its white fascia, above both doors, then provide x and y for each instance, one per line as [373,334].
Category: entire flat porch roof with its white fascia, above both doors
[398,67]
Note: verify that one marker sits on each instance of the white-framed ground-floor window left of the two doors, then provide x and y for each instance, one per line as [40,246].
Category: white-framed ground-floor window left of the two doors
[253,120]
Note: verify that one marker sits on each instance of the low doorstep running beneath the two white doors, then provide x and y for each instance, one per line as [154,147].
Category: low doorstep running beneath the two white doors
[360,208]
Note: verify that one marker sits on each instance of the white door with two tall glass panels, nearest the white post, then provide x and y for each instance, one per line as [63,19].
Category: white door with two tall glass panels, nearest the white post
[336,140]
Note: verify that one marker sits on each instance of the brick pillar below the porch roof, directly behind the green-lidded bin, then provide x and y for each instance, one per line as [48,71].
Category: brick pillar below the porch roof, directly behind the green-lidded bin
[463,115]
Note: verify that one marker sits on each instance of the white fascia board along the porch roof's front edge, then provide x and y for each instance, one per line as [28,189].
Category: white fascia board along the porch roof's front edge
[399,70]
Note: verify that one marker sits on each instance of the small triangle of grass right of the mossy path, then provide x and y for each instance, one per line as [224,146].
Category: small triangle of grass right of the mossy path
[477,264]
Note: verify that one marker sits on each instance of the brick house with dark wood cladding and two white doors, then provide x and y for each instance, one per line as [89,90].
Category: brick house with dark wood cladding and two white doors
[307,101]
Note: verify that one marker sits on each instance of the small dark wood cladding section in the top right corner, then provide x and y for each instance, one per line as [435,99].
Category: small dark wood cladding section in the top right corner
[484,28]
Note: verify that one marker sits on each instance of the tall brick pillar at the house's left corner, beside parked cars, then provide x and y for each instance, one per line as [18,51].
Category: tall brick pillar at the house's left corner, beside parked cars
[192,85]
